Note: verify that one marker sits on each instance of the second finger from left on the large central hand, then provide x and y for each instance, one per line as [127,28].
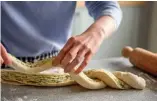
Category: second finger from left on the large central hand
[71,54]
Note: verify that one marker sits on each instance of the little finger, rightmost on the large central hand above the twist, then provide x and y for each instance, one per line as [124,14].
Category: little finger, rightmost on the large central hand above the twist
[84,63]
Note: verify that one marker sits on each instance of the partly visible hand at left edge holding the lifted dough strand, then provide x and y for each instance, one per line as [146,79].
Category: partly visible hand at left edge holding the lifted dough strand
[4,58]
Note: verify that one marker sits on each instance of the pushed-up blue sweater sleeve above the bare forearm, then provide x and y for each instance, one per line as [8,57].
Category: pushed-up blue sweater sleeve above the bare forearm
[105,8]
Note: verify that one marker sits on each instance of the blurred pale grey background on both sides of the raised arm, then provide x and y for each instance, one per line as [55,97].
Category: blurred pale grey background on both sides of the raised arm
[138,27]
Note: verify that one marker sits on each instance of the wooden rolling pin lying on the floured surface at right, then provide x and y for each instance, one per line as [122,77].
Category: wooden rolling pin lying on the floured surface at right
[142,59]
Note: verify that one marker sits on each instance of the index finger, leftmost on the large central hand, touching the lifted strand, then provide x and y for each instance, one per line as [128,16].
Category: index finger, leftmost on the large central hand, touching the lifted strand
[61,54]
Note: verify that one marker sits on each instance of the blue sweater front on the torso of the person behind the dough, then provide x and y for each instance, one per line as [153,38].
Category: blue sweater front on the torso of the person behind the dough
[34,28]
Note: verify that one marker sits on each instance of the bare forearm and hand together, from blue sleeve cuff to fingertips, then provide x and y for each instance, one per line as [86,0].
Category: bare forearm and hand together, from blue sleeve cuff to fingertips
[80,49]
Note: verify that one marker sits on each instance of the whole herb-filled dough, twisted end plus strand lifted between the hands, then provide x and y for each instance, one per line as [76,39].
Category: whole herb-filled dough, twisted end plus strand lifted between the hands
[91,79]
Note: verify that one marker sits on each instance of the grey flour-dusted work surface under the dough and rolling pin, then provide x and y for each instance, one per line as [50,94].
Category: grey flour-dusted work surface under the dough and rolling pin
[78,93]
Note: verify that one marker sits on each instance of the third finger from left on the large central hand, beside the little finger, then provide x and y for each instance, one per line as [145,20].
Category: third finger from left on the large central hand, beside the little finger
[80,56]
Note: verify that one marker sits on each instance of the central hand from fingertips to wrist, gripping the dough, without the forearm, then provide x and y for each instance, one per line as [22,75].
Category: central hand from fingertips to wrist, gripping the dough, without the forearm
[79,50]
